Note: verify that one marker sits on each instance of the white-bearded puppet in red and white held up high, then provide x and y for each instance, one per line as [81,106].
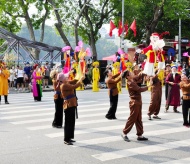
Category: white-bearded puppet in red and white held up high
[154,52]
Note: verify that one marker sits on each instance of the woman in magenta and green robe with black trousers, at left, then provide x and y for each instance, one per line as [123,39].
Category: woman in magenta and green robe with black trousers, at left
[36,86]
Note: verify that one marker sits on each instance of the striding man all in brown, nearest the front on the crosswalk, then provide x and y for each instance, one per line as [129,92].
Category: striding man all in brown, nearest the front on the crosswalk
[135,106]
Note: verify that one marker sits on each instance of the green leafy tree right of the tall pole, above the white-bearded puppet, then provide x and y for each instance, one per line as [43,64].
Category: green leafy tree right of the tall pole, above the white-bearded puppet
[155,16]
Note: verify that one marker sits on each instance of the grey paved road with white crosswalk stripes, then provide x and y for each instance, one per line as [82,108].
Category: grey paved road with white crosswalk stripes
[26,135]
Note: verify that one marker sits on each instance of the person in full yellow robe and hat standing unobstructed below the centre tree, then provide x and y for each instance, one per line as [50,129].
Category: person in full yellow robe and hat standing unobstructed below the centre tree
[95,77]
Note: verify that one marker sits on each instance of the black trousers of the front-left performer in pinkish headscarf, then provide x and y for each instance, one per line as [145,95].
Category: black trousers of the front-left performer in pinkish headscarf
[69,123]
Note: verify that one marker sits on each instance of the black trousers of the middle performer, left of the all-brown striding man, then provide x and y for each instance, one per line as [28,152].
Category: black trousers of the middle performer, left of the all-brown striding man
[113,106]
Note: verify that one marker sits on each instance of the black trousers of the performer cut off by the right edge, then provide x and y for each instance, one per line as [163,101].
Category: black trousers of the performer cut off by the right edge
[186,112]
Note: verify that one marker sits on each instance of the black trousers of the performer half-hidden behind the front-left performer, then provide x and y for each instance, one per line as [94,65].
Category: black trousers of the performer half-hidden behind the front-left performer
[58,117]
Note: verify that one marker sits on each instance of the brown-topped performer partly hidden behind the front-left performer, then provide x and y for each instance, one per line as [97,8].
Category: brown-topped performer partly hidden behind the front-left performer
[58,99]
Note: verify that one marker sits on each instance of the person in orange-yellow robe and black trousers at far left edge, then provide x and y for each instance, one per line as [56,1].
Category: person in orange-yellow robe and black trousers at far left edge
[4,87]
